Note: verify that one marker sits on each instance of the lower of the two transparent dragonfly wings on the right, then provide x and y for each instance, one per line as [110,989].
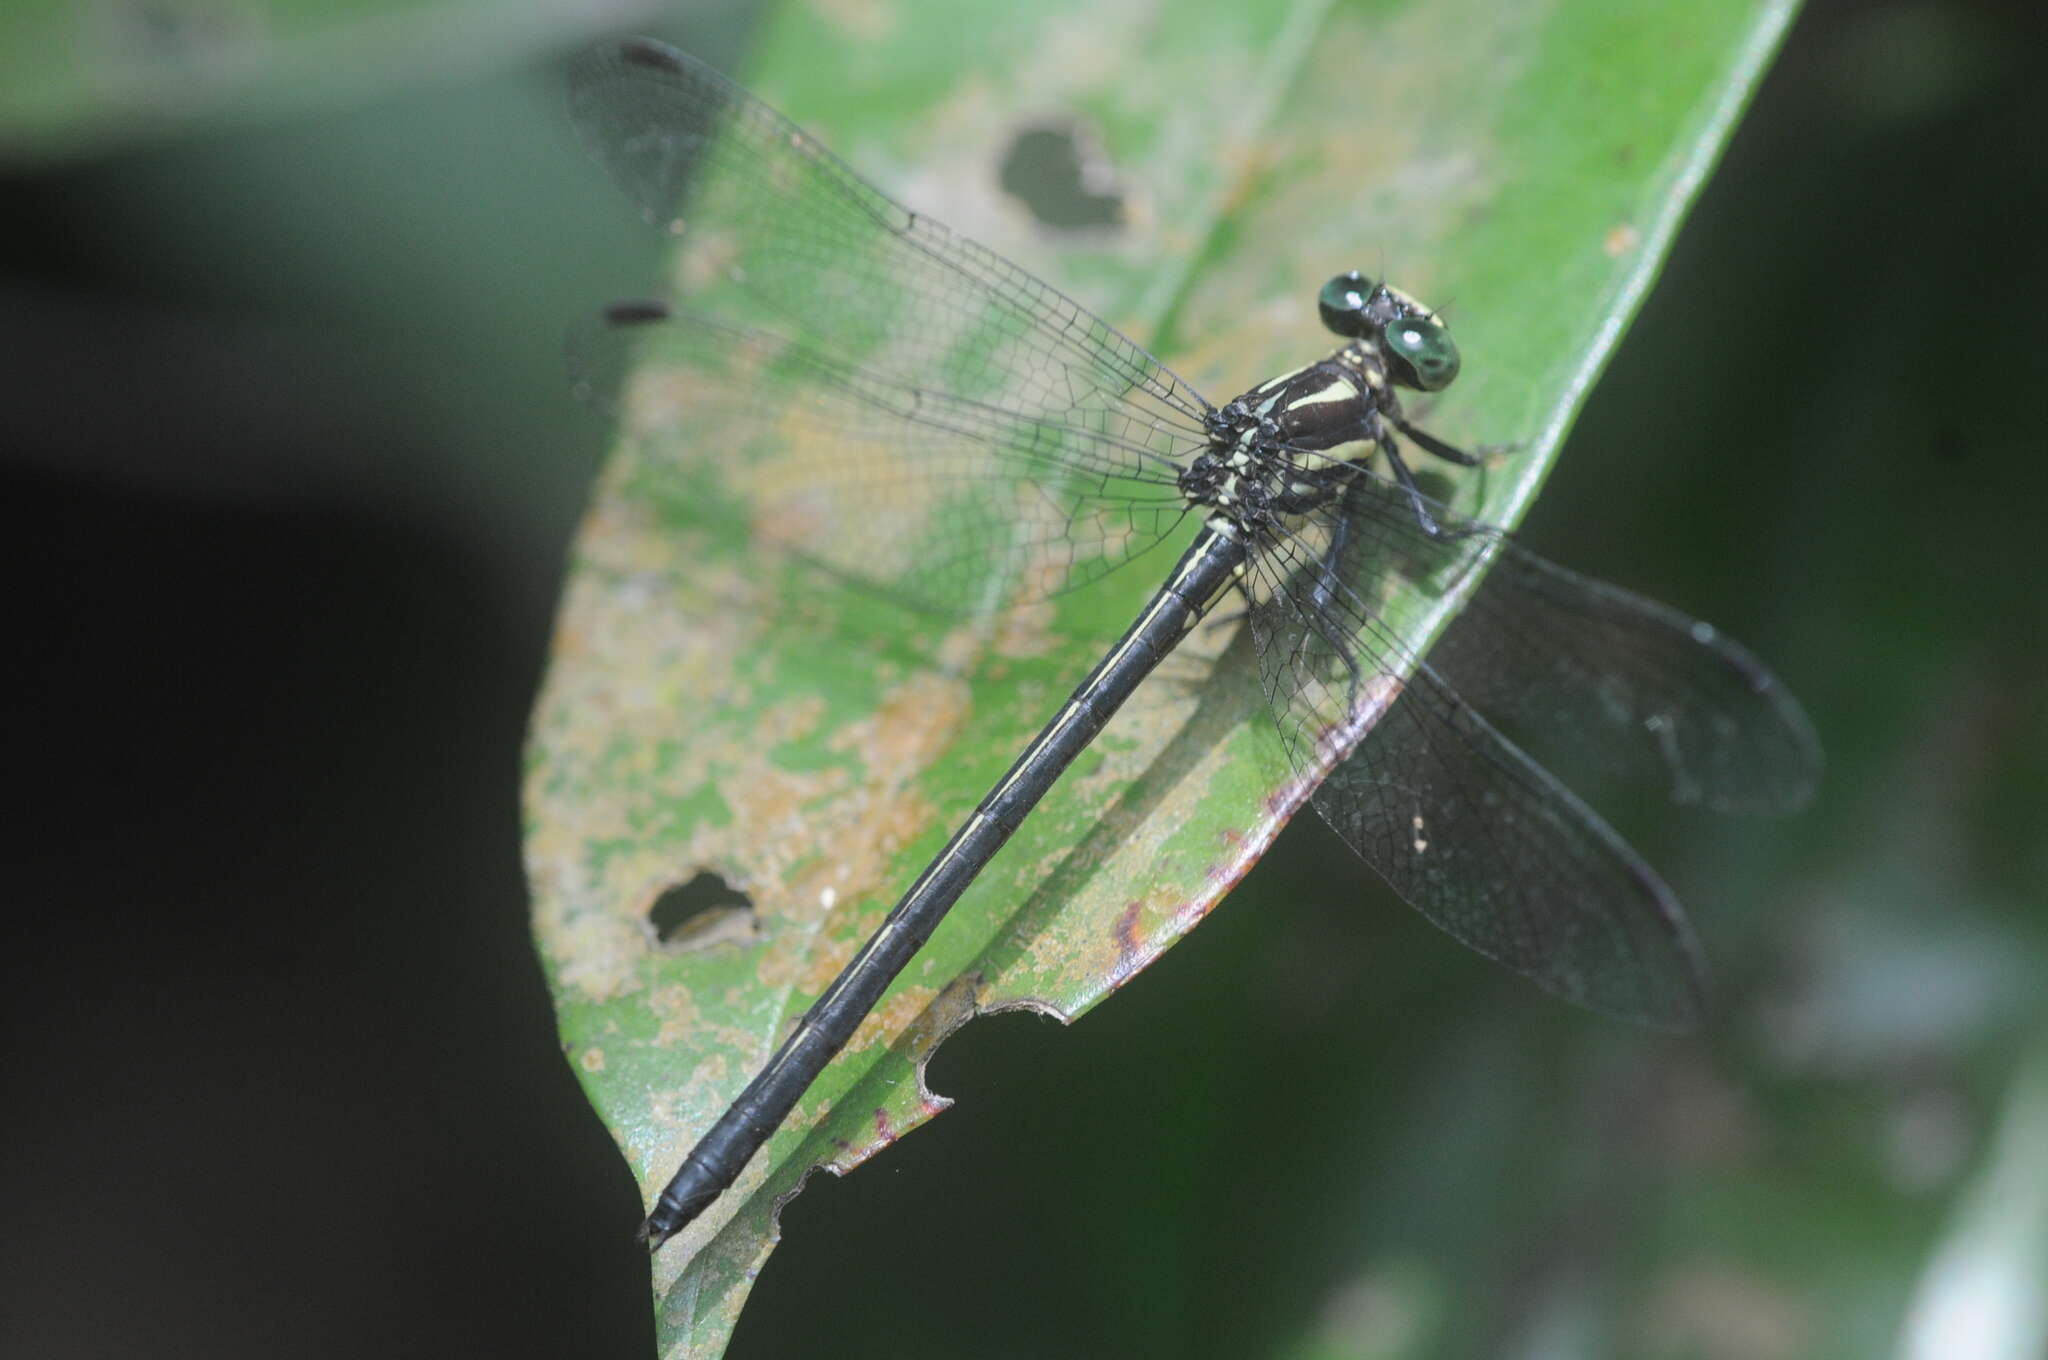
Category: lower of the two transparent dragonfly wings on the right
[1459,820]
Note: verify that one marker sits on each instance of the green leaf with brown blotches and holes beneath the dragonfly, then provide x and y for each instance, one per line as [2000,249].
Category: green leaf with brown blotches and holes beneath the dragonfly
[708,712]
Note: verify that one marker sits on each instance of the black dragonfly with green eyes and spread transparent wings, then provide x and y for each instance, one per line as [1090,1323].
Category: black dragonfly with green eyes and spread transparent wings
[927,419]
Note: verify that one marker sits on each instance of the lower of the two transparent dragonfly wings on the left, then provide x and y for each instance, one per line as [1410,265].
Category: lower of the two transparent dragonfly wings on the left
[947,505]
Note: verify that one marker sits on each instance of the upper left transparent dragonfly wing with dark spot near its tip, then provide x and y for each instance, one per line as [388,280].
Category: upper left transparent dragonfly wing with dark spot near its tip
[785,237]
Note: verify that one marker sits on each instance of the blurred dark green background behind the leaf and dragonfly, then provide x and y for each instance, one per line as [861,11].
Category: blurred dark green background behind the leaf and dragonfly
[290,470]
